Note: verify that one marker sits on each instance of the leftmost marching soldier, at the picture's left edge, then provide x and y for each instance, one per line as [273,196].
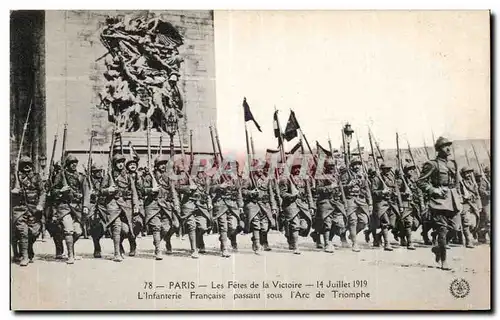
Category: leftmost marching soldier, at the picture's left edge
[28,203]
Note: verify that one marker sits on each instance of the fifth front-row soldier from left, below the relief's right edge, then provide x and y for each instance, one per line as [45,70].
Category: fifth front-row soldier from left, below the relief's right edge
[196,208]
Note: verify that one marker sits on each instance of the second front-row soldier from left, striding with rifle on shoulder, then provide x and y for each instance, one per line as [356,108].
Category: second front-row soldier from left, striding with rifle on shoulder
[70,200]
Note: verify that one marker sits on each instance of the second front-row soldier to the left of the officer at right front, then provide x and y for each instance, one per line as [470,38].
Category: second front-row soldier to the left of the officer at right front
[386,208]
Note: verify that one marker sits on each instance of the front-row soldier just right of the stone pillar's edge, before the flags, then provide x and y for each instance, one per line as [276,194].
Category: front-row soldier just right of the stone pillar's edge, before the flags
[228,206]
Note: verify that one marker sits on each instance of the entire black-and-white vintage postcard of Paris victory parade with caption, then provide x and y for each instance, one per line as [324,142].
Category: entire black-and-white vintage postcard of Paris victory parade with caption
[250,160]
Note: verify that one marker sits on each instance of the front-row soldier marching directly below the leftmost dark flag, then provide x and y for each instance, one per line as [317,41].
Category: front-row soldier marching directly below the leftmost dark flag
[259,207]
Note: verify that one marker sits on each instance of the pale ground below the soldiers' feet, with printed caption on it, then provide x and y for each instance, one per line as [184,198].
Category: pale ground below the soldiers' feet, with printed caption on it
[400,279]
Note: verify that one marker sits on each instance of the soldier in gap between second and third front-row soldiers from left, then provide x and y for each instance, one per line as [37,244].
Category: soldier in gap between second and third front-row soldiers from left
[97,211]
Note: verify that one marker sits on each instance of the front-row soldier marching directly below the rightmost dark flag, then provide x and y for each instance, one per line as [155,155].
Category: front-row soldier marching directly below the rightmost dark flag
[297,205]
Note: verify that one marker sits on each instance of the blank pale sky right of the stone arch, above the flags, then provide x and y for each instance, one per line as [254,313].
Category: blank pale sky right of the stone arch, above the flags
[406,71]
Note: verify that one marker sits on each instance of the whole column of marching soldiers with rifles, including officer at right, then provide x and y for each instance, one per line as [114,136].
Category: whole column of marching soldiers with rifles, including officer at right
[335,198]
